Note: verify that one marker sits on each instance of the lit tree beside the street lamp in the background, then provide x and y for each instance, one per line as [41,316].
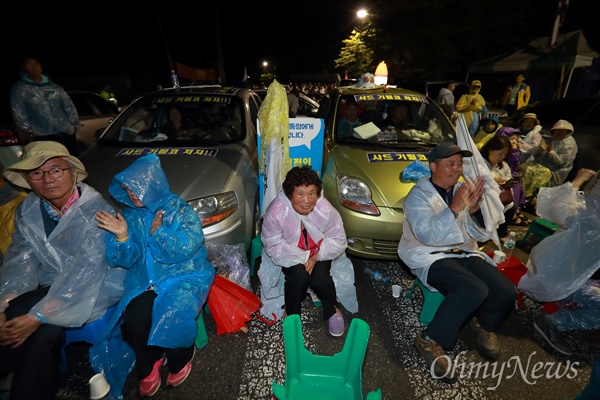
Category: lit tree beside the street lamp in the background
[356,55]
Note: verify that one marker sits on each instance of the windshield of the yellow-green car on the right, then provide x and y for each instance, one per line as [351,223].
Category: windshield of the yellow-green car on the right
[391,120]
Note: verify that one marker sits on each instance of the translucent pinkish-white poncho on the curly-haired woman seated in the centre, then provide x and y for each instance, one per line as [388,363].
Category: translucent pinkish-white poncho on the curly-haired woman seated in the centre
[280,236]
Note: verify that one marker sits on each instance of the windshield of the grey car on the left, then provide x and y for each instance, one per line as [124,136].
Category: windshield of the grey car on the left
[175,118]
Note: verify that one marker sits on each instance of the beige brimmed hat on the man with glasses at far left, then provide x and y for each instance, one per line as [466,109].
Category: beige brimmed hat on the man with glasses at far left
[35,155]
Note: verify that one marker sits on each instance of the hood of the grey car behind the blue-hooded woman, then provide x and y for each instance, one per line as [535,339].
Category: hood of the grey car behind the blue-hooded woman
[192,172]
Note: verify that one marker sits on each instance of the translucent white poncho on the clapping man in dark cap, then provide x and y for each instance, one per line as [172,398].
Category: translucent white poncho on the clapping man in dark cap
[429,226]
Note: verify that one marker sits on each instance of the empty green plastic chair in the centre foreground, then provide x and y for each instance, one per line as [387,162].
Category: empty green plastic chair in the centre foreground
[317,377]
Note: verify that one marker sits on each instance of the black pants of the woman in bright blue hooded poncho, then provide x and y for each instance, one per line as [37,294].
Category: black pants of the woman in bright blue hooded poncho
[137,322]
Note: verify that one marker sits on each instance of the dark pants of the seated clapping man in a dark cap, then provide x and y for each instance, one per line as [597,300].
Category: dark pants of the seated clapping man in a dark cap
[470,286]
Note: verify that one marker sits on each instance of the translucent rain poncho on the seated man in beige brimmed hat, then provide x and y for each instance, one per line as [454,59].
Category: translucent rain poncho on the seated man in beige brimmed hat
[71,260]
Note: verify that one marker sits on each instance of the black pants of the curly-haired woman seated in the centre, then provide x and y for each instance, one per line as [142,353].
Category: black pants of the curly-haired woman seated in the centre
[297,281]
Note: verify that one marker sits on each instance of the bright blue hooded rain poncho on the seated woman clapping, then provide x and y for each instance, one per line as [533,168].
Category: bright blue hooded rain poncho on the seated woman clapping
[173,260]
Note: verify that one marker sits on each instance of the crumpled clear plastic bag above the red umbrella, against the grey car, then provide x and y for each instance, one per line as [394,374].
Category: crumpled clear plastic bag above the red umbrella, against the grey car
[231,262]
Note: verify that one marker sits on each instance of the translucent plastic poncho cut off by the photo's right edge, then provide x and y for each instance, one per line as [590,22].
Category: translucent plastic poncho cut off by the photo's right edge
[561,263]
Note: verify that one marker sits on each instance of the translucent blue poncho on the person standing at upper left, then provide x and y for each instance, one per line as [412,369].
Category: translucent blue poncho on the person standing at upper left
[41,109]
